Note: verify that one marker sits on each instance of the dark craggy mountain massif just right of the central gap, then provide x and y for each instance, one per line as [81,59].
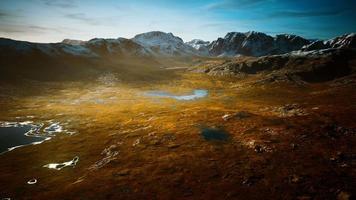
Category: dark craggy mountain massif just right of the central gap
[255,44]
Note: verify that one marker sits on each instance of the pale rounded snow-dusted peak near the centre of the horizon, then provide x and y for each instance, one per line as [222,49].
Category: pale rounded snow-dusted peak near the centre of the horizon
[164,44]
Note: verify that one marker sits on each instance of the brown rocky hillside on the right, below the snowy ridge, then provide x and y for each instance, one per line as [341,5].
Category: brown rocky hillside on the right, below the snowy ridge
[311,66]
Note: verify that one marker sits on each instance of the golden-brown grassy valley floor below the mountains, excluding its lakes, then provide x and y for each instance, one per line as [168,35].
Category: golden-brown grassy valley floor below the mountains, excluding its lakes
[240,140]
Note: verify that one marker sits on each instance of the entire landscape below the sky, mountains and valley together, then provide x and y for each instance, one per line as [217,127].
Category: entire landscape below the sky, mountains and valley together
[247,116]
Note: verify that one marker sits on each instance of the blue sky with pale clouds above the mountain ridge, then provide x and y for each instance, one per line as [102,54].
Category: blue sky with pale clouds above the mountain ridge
[55,20]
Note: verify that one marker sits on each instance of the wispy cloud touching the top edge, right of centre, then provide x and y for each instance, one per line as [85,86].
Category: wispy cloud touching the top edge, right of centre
[234,4]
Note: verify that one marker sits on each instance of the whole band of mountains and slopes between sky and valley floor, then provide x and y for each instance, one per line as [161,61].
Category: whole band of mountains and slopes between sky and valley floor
[156,49]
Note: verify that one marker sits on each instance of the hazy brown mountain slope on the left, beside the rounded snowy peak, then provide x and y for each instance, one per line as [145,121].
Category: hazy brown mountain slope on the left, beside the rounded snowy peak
[21,60]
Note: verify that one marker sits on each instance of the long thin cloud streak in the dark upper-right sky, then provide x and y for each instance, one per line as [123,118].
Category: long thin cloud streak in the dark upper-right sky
[298,14]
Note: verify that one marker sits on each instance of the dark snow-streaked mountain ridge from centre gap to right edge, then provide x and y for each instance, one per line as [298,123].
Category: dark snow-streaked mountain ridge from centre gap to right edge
[260,44]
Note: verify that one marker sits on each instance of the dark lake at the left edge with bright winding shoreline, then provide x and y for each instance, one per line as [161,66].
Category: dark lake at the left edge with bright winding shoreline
[15,136]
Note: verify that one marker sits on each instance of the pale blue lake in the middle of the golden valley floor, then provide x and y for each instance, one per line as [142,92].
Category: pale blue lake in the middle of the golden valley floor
[195,95]
